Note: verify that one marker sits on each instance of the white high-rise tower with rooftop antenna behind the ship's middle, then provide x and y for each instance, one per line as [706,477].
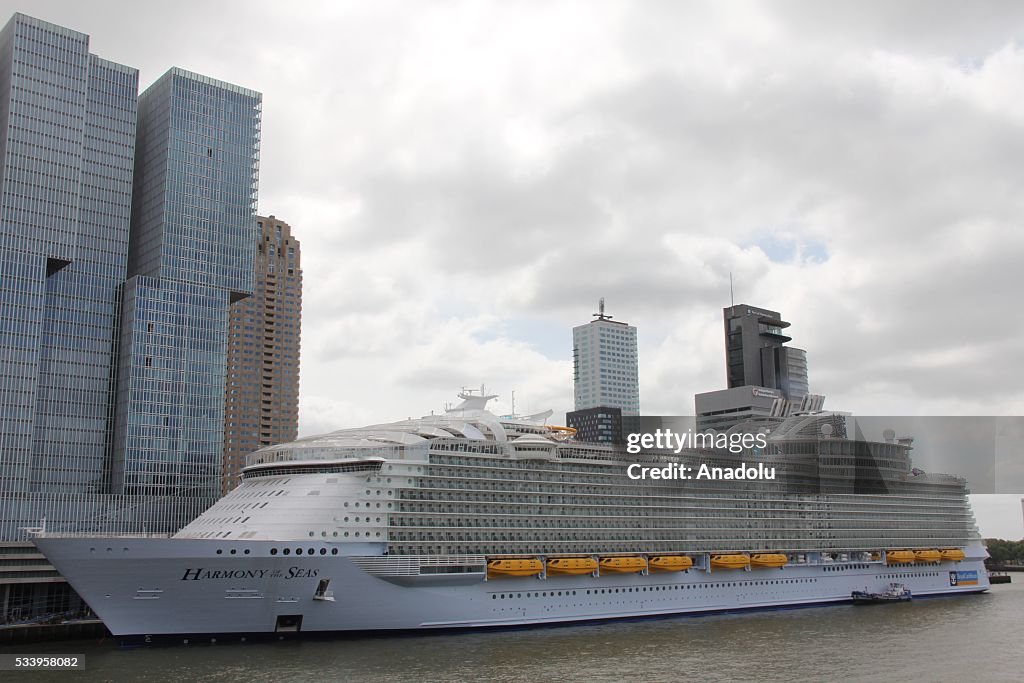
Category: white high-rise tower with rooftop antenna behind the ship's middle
[605,355]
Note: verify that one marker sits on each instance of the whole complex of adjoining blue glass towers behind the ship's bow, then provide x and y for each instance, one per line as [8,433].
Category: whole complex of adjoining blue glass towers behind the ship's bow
[127,228]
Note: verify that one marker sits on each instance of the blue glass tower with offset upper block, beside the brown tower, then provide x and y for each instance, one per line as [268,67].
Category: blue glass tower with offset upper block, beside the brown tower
[193,241]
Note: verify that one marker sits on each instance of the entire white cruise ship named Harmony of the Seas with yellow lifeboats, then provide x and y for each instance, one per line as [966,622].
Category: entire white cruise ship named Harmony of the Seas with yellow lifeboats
[467,521]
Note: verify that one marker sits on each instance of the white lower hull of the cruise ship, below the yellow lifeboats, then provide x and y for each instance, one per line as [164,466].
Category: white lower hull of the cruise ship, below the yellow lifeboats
[160,590]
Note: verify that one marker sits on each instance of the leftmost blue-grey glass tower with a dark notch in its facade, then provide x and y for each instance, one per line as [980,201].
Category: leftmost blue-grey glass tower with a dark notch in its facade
[67,150]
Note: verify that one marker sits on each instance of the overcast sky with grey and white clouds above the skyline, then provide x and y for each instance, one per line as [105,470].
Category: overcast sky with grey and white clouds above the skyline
[468,179]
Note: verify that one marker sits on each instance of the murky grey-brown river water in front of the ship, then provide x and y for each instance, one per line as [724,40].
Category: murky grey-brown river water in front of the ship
[941,639]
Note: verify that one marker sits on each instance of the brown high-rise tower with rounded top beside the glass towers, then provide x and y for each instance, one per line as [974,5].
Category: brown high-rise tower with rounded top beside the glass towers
[262,404]
